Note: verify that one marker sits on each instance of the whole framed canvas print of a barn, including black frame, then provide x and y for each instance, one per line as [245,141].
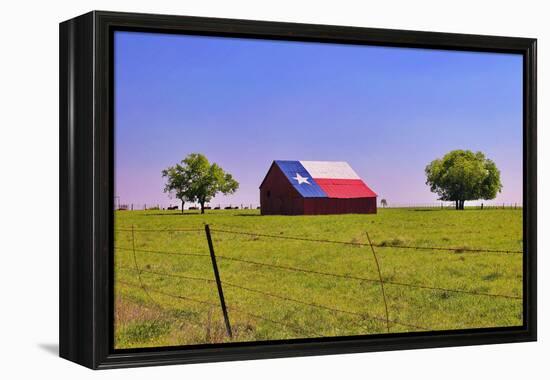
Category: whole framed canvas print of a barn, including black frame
[235,189]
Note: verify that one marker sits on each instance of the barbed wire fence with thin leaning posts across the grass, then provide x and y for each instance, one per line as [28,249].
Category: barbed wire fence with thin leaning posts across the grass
[220,284]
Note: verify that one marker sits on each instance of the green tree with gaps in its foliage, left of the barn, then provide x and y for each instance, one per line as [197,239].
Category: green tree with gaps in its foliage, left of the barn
[194,179]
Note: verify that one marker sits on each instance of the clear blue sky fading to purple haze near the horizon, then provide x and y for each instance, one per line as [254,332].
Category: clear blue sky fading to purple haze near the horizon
[244,103]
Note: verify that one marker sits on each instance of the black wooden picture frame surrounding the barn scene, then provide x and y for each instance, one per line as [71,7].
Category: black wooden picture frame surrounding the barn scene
[86,188]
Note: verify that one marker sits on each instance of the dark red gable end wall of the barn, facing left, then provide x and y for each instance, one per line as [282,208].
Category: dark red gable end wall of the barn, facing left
[283,198]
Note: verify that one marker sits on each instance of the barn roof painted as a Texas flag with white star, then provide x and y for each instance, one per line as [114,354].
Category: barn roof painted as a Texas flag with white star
[325,179]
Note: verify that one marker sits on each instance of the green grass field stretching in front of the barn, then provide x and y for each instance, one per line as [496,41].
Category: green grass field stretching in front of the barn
[303,304]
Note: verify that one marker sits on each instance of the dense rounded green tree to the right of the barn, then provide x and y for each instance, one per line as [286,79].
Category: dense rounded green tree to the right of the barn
[462,175]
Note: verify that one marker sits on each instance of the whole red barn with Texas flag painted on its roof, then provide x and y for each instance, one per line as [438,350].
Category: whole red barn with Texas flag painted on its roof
[314,188]
